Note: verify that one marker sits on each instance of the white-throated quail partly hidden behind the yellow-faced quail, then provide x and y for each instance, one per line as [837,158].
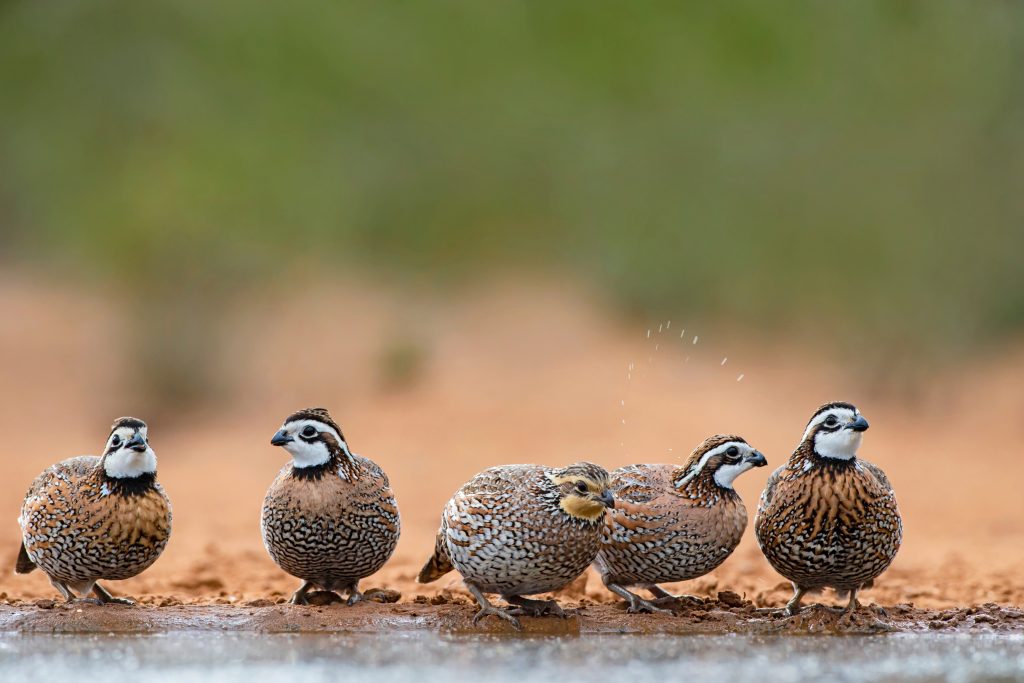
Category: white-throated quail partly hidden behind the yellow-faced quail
[674,523]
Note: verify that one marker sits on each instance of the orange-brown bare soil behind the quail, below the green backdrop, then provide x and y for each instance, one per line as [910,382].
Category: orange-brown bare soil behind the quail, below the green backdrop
[509,375]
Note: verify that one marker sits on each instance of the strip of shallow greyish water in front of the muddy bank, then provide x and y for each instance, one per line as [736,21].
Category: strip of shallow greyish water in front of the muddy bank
[426,658]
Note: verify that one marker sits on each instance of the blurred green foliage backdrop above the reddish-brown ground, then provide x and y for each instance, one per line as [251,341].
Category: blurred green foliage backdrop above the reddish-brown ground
[852,170]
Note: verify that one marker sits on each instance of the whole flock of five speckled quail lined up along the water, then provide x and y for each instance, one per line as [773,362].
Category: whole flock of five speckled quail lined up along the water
[826,520]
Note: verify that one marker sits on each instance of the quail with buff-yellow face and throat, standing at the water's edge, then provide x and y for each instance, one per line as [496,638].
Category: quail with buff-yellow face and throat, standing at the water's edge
[522,530]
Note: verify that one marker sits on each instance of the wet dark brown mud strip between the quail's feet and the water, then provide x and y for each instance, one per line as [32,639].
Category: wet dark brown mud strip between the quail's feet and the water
[715,617]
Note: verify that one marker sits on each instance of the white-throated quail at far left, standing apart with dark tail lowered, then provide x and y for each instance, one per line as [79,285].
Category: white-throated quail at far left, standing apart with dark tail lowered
[97,518]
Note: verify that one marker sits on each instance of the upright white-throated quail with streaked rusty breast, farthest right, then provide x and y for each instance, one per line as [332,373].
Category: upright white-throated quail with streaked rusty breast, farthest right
[829,519]
